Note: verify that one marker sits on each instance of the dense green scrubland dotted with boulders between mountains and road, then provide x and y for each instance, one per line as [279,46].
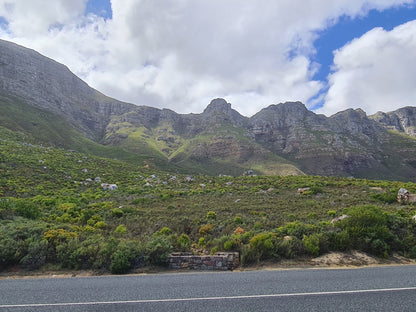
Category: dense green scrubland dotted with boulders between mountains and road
[55,213]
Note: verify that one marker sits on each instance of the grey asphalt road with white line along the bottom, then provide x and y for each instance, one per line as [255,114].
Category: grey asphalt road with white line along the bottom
[366,289]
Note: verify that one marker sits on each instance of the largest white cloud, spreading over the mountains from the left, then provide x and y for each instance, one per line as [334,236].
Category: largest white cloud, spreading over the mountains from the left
[180,54]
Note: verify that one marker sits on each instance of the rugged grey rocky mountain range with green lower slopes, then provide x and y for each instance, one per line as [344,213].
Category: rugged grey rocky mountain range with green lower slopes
[43,99]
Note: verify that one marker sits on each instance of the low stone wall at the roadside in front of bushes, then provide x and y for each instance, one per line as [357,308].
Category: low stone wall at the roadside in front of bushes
[221,261]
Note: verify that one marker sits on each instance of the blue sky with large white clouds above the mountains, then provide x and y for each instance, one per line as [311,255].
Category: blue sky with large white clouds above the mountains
[181,54]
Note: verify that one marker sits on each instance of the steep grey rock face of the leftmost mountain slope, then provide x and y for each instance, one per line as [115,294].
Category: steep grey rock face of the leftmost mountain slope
[46,84]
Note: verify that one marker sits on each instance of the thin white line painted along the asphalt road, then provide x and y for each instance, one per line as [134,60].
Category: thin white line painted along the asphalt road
[341,292]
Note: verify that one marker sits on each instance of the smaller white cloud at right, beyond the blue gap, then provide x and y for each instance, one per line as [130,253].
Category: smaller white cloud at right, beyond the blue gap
[375,72]
